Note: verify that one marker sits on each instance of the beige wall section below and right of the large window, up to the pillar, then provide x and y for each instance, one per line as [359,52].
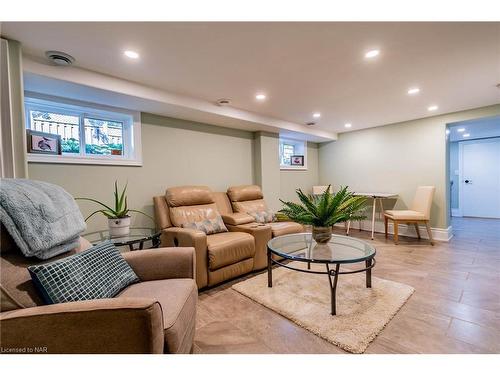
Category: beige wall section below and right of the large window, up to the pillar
[175,152]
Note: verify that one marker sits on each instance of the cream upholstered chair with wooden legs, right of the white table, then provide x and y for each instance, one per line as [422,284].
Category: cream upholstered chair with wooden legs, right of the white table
[419,213]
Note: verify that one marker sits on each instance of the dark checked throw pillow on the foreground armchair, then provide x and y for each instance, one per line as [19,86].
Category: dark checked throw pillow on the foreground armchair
[98,272]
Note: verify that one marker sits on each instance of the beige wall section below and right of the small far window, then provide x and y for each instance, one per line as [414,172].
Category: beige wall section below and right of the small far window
[303,179]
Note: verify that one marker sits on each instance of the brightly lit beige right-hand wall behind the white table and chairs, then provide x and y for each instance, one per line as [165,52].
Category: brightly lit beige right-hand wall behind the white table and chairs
[396,158]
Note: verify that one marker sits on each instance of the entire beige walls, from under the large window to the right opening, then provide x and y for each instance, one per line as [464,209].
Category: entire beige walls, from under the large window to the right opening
[395,158]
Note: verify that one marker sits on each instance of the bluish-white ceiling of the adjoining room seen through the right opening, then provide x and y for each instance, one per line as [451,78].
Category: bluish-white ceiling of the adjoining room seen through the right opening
[481,128]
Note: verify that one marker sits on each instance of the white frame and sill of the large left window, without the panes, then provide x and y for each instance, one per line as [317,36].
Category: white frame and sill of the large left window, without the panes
[131,136]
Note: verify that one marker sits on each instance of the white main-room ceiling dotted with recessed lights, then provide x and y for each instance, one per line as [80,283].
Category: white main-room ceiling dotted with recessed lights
[302,67]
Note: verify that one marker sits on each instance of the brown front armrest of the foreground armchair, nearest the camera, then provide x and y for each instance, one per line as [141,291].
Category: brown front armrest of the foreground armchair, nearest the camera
[116,325]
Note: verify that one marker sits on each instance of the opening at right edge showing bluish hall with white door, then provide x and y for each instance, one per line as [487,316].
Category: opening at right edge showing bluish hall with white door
[474,154]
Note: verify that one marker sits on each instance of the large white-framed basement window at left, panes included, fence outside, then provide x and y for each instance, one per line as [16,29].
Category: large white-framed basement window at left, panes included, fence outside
[89,134]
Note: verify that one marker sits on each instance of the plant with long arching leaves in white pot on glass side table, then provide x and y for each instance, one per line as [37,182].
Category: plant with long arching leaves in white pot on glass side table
[118,216]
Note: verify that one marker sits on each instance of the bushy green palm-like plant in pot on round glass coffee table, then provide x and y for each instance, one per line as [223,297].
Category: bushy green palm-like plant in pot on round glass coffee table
[324,211]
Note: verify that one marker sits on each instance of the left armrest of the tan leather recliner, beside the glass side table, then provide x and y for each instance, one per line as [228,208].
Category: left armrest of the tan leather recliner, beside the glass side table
[184,237]
